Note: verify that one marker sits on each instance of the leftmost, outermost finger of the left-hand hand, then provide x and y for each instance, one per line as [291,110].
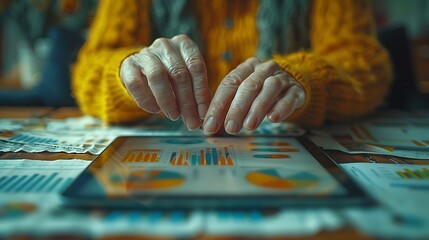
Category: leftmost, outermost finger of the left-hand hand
[136,84]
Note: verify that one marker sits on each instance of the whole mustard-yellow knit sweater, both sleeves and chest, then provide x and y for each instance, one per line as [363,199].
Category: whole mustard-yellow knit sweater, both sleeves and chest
[346,74]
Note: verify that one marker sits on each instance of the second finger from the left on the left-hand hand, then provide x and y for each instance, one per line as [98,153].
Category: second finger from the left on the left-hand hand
[157,79]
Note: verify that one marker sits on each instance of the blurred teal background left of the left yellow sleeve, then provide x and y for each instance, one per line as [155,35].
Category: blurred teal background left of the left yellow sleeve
[39,40]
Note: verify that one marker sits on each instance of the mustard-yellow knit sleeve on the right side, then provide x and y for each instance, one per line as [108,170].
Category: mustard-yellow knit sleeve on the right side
[347,72]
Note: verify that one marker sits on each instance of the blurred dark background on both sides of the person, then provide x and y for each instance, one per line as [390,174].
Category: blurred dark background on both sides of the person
[39,40]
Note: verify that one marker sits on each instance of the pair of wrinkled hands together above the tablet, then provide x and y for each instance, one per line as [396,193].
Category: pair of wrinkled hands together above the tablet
[170,76]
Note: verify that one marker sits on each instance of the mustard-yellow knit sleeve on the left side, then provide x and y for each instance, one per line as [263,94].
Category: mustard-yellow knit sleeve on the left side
[115,34]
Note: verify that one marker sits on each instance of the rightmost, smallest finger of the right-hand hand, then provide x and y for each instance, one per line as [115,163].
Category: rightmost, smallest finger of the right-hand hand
[293,99]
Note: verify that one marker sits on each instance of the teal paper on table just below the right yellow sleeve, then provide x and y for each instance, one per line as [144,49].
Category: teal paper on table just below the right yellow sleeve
[388,133]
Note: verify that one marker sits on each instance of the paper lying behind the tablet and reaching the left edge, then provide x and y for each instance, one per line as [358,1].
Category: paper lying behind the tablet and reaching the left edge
[88,134]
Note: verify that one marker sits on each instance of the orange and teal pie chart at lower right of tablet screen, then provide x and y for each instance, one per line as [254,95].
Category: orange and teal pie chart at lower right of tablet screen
[272,179]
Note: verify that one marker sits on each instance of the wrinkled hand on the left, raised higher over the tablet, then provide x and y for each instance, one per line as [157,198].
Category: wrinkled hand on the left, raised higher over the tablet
[169,76]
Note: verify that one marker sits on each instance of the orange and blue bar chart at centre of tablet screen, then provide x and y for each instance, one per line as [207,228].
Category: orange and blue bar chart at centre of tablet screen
[219,156]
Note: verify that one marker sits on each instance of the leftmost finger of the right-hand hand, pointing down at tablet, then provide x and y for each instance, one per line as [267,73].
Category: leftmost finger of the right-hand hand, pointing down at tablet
[225,94]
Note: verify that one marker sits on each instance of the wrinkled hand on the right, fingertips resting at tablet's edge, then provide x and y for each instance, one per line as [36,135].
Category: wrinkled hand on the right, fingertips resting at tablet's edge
[250,92]
